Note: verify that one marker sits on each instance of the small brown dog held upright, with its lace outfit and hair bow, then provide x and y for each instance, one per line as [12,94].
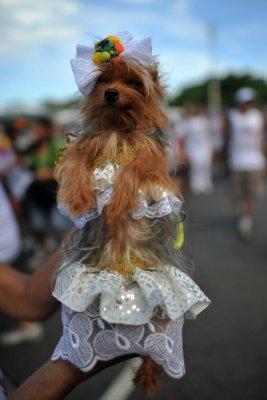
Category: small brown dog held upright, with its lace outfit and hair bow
[115,184]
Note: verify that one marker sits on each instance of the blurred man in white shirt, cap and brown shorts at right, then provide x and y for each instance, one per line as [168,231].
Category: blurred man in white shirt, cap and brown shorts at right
[245,156]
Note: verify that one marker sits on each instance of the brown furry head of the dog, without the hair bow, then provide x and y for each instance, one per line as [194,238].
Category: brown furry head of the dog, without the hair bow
[126,97]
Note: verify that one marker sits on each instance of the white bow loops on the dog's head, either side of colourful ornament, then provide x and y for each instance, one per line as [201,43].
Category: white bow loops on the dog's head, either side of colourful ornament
[86,72]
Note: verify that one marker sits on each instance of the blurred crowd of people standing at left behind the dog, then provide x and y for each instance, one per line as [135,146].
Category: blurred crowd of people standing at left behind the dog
[27,160]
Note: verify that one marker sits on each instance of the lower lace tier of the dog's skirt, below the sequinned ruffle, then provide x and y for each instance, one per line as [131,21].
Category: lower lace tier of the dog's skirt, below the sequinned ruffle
[88,338]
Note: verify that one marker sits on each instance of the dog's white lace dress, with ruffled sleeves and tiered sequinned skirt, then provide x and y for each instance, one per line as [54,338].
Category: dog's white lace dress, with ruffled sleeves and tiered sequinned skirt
[106,315]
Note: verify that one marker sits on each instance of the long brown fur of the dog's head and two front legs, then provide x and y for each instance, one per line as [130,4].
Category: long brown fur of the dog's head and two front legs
[138,110]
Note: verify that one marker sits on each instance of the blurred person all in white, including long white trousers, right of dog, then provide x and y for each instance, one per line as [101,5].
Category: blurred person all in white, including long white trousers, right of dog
[199,150]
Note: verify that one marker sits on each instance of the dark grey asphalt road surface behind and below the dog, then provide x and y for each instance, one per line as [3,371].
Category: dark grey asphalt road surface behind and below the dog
[225,347]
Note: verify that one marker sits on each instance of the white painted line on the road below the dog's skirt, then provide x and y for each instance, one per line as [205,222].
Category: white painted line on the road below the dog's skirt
[122,386]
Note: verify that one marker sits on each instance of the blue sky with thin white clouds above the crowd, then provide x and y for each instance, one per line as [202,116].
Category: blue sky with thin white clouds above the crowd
[38,38]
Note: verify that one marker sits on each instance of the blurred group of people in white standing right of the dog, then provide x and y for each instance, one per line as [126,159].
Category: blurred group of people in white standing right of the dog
[232,144]
